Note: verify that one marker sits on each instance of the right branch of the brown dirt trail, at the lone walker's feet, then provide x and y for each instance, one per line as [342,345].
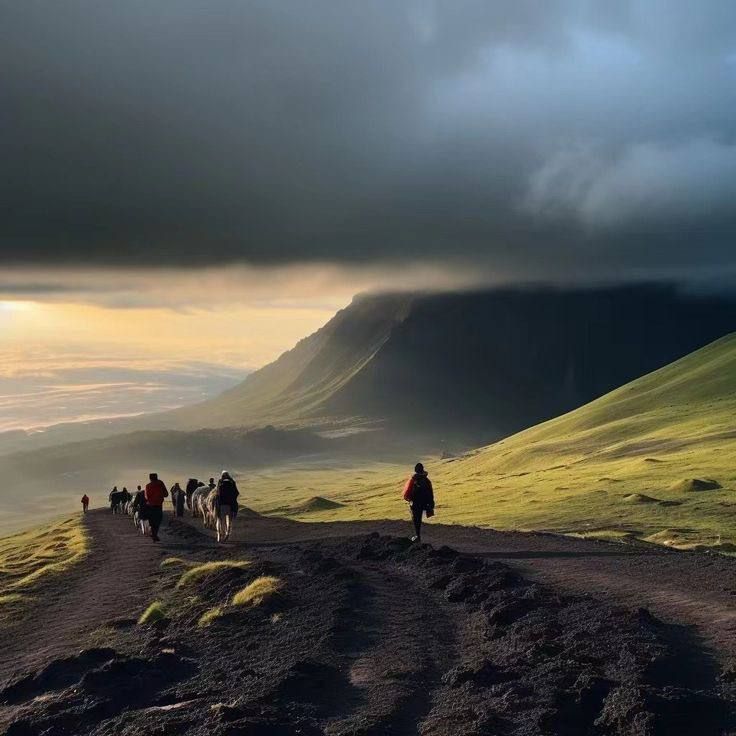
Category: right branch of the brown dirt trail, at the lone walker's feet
[682,587]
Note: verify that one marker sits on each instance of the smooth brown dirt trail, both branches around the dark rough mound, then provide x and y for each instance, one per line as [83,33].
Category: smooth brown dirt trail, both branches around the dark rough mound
[117,578]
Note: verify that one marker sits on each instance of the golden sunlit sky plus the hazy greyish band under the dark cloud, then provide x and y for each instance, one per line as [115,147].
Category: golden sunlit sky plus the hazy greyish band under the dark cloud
[100,343]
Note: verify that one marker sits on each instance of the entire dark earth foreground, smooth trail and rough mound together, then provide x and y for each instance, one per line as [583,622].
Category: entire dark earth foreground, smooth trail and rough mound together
[364,633]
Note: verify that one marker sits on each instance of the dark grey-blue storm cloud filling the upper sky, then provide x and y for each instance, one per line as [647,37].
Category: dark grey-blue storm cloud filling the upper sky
[550,135]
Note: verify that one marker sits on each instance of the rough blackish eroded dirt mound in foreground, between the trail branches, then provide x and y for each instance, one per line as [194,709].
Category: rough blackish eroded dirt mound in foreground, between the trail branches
[375,636]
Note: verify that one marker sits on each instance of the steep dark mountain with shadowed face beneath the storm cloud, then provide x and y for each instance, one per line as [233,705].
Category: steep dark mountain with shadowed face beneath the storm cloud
[478,365]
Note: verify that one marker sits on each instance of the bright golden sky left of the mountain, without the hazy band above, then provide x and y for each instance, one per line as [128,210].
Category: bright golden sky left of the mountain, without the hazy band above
[67,361]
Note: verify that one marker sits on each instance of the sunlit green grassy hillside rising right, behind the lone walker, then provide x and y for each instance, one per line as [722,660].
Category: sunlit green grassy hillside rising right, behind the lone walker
[573,473]
